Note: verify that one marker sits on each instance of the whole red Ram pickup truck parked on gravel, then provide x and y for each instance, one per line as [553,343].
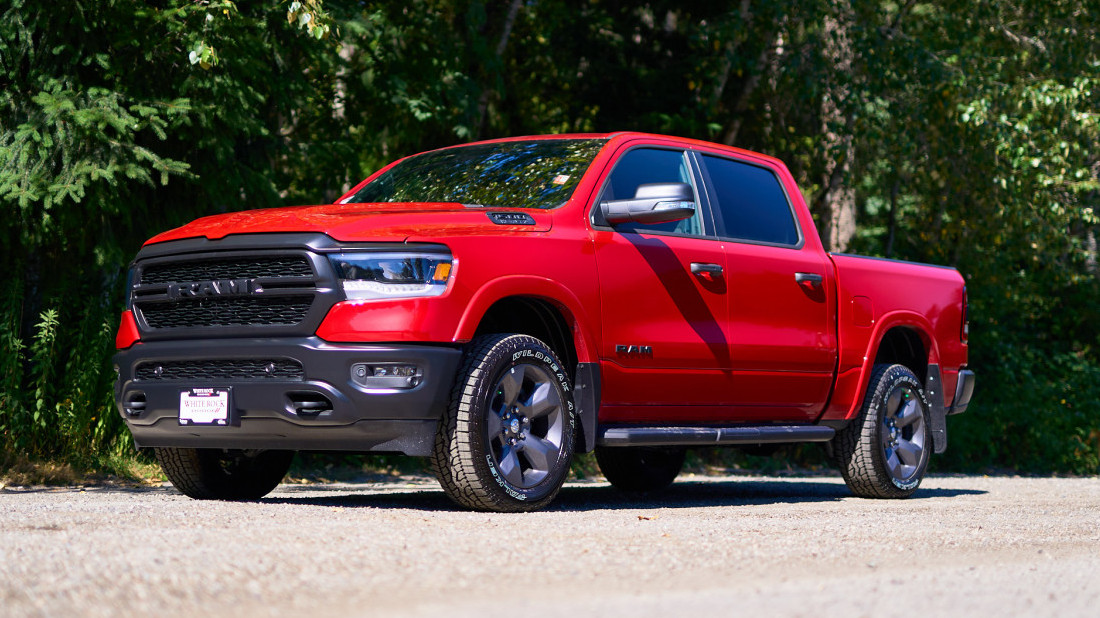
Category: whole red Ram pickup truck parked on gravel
[502,305]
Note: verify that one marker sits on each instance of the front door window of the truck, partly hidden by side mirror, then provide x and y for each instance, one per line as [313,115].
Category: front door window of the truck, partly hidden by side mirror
[642,167]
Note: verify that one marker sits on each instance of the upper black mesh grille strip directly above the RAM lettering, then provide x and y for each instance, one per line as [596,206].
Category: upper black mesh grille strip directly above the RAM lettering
[227,269]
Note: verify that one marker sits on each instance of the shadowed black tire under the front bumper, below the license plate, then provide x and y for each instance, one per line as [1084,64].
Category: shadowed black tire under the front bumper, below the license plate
[217,474]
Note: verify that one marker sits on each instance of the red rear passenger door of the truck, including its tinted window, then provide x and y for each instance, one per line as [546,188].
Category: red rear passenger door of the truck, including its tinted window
[783,340]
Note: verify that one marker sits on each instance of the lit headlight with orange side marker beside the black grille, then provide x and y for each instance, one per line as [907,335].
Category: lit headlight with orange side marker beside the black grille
[368,277]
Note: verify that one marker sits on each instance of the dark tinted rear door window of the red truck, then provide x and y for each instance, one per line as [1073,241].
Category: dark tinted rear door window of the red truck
[751,203]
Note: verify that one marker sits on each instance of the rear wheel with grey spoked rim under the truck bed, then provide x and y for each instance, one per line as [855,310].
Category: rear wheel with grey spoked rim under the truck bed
[885,451]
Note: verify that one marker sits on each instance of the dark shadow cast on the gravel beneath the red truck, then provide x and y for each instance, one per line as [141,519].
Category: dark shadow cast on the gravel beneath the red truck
[680,495]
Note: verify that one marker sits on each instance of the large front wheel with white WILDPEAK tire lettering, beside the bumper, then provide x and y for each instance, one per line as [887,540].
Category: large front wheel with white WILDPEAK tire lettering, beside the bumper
[507,440]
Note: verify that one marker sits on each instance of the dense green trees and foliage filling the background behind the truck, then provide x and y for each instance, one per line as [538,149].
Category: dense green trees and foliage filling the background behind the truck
[955,133]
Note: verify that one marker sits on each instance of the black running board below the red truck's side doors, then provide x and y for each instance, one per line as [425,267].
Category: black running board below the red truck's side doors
[634,436]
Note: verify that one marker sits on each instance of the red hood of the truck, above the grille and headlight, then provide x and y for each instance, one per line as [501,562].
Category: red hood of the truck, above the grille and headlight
[353,223]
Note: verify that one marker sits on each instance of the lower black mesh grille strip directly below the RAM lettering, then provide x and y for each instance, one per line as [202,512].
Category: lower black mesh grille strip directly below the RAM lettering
[280,311]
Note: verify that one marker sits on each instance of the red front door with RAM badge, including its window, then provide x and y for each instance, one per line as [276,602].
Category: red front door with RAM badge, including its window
[666,346]
